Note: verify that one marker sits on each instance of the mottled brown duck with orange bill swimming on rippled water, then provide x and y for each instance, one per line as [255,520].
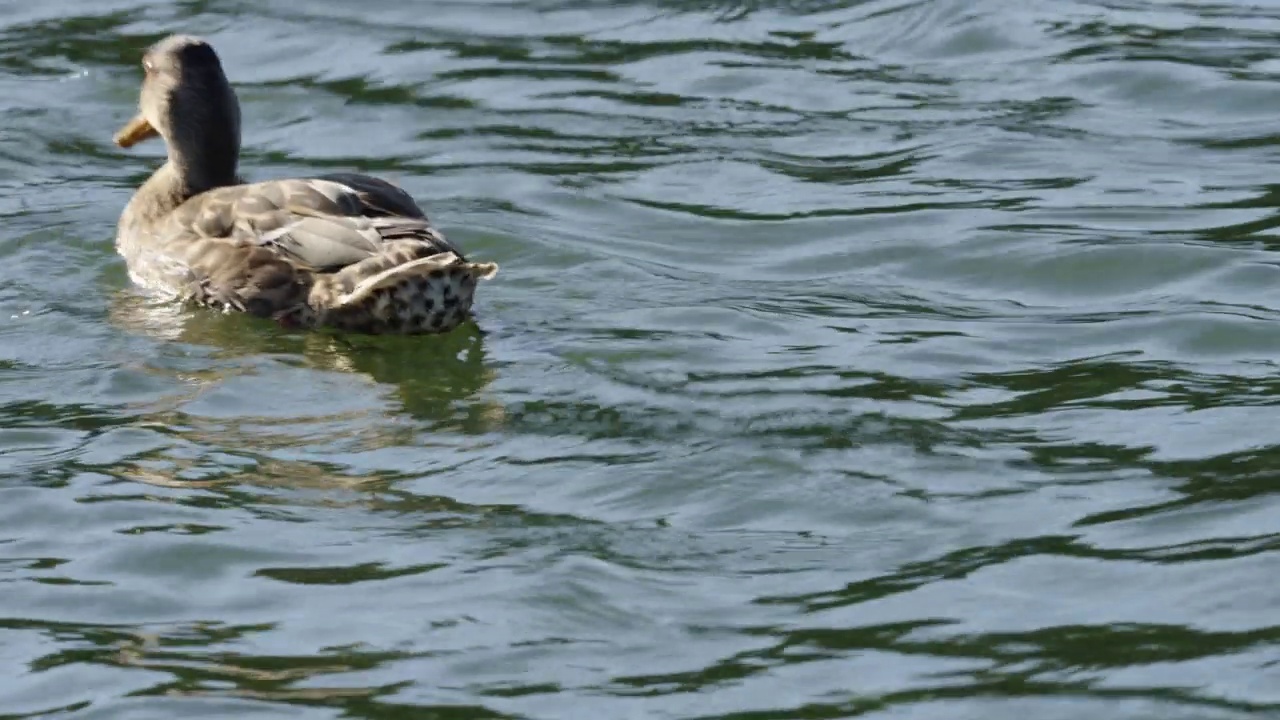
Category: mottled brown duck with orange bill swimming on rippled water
[345,250]
